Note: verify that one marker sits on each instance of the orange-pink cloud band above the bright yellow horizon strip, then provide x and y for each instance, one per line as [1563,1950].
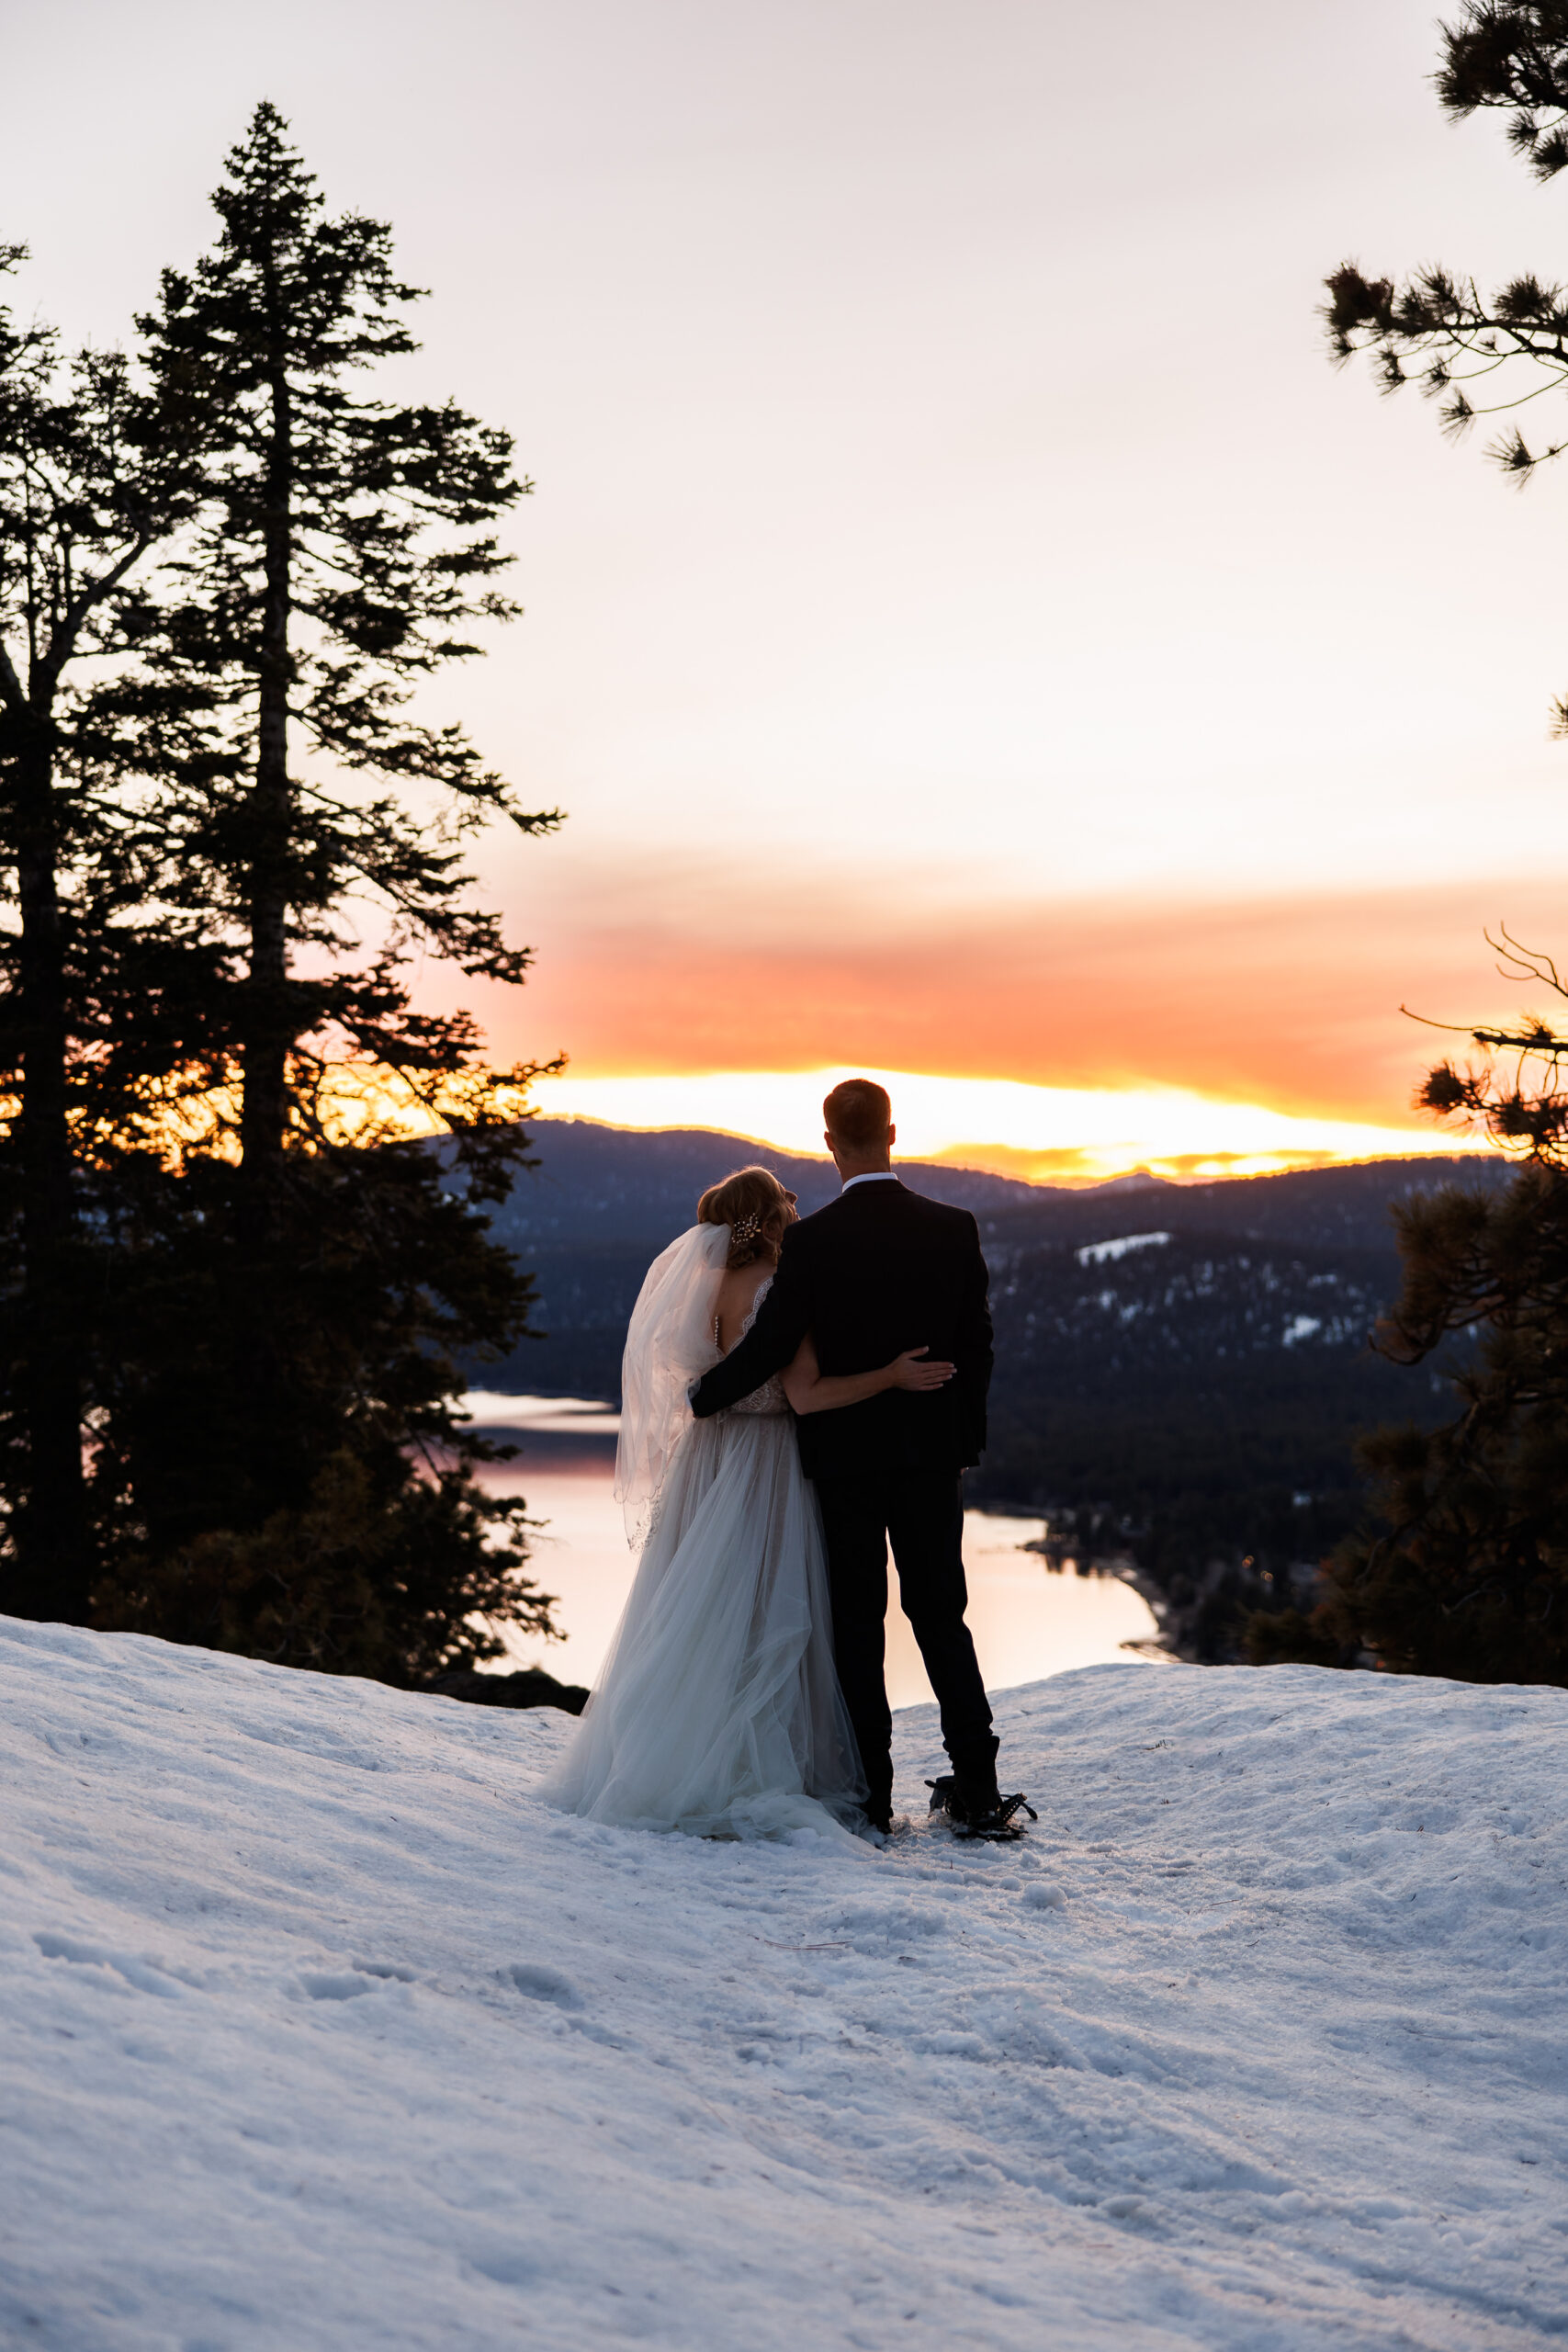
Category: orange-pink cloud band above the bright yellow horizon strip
[1292,1001]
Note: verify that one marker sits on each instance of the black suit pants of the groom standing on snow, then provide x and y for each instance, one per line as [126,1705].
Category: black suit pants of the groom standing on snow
[923,1516]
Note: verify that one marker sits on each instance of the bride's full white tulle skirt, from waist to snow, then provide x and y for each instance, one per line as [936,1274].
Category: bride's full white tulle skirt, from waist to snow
[718,1709]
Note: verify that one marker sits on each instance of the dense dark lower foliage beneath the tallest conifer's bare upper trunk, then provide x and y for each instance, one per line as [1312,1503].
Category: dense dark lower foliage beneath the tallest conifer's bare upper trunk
[363,1544]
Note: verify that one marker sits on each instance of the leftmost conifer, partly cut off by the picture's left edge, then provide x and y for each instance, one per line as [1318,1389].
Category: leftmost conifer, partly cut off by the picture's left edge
[93,483]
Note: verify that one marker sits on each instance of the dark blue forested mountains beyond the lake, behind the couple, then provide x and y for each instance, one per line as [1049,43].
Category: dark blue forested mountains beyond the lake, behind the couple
[1193,1394]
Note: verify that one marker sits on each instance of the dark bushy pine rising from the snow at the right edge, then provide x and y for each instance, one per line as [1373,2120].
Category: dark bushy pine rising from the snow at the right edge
[1468,1575]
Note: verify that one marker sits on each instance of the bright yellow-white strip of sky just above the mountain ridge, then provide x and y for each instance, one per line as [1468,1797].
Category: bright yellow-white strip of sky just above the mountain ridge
[1047,1135]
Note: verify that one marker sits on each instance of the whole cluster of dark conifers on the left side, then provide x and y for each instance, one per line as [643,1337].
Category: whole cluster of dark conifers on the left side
[239,1281]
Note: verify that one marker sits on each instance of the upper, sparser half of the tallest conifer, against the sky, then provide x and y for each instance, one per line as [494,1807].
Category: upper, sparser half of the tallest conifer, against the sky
[342,556]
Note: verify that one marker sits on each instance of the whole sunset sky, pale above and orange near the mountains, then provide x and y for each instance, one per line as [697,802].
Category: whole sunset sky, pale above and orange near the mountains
[972,629]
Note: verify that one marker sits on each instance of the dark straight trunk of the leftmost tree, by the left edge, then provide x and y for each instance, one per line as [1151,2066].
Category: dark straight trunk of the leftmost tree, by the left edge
[53,1544]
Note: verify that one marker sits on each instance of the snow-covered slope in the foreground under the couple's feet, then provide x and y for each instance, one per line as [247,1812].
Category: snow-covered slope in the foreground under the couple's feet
[321,2033]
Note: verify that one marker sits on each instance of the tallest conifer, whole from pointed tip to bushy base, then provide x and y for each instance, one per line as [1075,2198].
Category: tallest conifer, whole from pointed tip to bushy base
[281,1455]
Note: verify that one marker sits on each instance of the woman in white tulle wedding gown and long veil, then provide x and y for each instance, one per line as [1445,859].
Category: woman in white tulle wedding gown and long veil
[718,1709]
